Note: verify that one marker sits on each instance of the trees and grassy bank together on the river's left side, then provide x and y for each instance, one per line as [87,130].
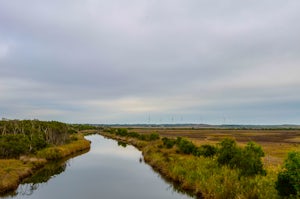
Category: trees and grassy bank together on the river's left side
[31,143]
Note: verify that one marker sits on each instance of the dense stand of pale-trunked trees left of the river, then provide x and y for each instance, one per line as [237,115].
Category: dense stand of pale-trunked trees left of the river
[19,137]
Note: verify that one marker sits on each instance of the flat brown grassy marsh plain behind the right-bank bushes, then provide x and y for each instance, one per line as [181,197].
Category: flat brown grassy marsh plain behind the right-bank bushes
[276,143]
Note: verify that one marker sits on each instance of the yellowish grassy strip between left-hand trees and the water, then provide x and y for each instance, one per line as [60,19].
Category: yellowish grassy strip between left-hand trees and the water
[13,171]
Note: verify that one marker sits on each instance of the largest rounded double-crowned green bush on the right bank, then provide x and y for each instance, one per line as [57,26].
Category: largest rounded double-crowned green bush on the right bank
[247,159]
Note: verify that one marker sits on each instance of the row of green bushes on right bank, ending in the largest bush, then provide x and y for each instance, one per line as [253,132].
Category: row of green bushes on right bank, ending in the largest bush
[247,160]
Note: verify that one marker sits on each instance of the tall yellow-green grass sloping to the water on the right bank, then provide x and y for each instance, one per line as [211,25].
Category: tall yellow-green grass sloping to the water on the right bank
[201,176]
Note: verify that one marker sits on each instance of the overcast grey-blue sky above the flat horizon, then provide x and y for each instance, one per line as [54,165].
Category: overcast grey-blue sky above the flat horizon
[151,61]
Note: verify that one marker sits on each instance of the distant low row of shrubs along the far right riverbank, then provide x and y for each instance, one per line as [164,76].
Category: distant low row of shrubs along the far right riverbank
[124,133]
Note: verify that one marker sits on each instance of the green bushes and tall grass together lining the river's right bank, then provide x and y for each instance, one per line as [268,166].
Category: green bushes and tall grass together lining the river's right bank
[221,170]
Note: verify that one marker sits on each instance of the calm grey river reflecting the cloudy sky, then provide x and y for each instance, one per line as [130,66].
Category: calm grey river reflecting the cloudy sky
[107,171]
